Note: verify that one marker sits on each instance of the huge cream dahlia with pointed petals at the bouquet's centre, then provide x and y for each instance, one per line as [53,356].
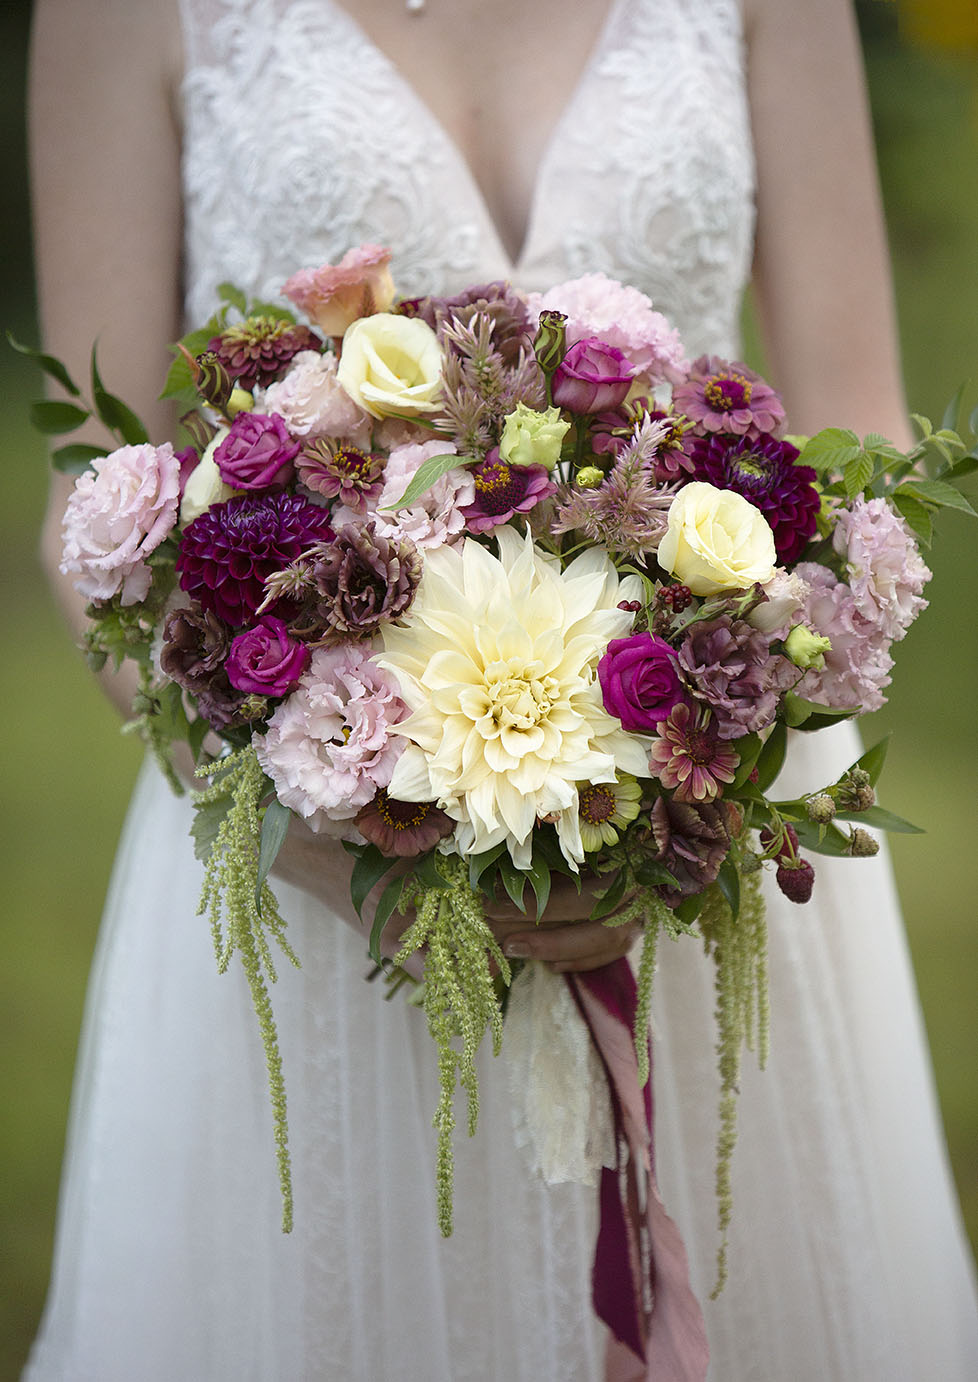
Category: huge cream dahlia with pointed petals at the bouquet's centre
[498,664]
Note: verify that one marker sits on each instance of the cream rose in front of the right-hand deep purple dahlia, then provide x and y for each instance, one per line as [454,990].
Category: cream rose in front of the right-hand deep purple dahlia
[716,541]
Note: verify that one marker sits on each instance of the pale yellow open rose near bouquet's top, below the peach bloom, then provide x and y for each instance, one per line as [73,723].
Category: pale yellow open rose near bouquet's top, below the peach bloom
[392,366]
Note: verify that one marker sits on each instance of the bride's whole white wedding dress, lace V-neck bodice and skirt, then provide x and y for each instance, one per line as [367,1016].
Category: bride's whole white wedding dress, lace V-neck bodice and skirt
[847,1258]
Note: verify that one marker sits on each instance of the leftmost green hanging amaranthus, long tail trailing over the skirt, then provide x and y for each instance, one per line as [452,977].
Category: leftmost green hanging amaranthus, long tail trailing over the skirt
[244,917]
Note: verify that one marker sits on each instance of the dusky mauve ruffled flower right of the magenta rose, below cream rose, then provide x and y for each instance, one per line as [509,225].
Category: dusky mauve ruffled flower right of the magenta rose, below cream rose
[730,667]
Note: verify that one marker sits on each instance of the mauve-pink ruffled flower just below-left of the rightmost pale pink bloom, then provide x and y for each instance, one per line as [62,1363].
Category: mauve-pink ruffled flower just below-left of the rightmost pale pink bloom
[857,667]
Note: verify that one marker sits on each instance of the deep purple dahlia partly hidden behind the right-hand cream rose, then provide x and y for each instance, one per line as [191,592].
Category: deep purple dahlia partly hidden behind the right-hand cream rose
[763,471]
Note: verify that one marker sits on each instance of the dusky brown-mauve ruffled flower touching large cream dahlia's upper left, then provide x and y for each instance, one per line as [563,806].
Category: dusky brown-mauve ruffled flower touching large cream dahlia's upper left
[361,580]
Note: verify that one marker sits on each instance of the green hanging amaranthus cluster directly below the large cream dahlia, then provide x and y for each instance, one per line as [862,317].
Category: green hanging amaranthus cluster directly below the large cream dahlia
[459,1000]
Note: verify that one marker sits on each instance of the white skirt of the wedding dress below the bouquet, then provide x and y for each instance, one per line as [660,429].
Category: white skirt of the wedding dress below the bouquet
[847,1258]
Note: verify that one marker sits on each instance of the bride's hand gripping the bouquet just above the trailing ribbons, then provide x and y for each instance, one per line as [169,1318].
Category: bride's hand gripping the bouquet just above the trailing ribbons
[564,939]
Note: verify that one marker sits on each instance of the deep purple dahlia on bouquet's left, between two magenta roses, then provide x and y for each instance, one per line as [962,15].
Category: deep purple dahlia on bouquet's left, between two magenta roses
[227,553]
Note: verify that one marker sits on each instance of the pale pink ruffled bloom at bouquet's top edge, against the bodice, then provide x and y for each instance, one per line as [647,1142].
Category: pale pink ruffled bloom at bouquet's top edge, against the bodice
[599,306]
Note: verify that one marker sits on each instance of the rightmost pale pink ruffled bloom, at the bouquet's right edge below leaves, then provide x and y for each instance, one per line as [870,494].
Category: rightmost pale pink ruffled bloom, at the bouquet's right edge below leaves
[885,567]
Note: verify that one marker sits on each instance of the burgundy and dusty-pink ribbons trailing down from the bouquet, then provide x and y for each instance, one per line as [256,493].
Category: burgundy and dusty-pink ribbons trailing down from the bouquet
[642,1275]
